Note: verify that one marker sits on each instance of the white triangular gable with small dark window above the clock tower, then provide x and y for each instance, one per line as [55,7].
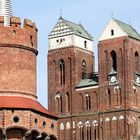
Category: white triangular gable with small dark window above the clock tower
[112,30]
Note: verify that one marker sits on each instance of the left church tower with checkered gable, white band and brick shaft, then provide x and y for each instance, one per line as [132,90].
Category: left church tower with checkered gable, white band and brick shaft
[70,59]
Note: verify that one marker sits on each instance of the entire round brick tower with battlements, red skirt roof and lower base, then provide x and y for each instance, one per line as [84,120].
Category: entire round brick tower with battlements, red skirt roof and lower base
[21,116]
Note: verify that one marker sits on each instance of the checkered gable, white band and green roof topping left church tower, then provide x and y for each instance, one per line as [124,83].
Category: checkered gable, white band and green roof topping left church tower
[66,33]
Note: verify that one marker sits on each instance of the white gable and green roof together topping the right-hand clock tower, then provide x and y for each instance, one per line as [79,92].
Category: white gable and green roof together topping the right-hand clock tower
[116,28]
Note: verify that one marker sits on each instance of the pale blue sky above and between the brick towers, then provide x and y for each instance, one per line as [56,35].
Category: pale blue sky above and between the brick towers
[92,14]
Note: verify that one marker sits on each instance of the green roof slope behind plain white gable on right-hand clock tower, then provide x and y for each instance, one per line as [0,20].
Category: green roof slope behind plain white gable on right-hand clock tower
[128,29]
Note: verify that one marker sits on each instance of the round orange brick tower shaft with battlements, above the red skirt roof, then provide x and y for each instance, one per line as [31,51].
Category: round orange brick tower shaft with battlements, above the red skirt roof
[18,51]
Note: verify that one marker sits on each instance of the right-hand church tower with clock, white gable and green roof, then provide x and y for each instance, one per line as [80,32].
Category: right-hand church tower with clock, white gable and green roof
[119,80]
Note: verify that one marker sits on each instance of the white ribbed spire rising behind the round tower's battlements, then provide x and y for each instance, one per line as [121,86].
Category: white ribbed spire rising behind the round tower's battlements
[6,11]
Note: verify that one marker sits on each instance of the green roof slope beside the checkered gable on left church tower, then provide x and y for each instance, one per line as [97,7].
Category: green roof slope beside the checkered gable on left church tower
[77,29]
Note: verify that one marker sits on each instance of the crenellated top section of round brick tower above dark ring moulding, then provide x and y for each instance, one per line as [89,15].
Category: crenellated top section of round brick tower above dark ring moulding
[18,35]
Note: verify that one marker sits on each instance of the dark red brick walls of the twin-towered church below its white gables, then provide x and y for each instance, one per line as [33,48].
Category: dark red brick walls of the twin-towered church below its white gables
[107,111]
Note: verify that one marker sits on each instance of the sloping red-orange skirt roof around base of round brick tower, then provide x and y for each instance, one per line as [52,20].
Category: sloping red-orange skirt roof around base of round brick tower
[16,102]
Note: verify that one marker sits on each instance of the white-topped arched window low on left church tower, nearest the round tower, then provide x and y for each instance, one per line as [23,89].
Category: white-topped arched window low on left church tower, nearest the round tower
[58,103]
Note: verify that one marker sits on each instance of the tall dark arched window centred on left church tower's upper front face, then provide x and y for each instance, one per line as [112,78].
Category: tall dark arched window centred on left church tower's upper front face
[62,72]
